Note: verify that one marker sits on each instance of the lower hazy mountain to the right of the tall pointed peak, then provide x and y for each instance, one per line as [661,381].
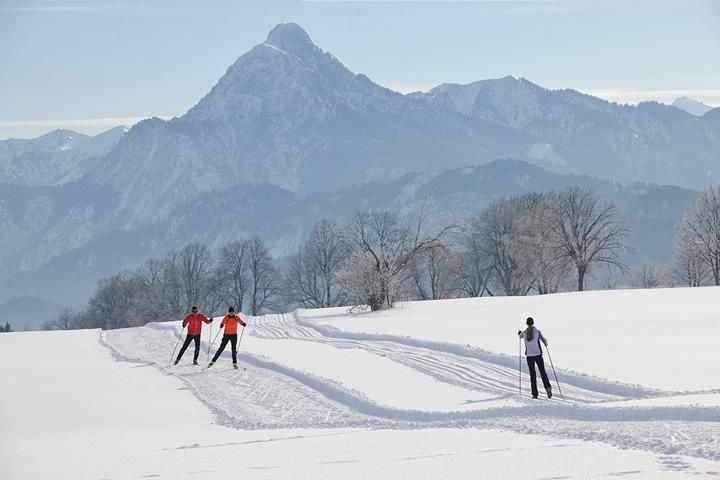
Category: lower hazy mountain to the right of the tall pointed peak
[574,132]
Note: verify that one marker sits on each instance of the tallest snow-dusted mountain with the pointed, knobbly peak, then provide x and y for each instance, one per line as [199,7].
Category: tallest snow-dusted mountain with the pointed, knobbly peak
[289,114]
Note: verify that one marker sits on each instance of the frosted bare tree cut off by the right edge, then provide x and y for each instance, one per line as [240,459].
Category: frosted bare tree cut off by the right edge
[700,231]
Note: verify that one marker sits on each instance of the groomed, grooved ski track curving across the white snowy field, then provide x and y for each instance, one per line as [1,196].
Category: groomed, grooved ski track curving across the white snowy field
[273,395]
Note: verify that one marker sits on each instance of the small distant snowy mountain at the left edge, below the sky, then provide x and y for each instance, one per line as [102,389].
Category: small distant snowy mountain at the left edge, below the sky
[56,158]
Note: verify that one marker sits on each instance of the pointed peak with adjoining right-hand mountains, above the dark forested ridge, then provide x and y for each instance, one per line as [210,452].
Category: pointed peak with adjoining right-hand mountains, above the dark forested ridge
[289,114]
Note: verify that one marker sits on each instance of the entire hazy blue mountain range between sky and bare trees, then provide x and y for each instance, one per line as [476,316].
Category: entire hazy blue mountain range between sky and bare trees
[289,135]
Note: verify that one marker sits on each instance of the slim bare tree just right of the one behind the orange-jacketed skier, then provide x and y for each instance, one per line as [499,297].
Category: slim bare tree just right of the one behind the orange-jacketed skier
[263,278]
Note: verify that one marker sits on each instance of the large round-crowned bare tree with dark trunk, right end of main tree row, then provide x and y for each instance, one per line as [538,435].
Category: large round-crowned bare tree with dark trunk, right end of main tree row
[586,232]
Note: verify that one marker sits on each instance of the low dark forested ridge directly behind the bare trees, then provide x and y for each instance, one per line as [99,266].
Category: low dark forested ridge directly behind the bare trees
[284,219]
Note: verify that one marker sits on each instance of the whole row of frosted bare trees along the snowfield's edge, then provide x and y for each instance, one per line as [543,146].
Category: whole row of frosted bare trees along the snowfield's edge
[533,243]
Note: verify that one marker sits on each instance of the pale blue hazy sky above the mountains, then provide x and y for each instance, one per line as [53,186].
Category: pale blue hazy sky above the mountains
[89,66]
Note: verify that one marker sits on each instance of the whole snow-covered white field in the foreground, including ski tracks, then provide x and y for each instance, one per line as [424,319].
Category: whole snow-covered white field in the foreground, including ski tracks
[428,390]
